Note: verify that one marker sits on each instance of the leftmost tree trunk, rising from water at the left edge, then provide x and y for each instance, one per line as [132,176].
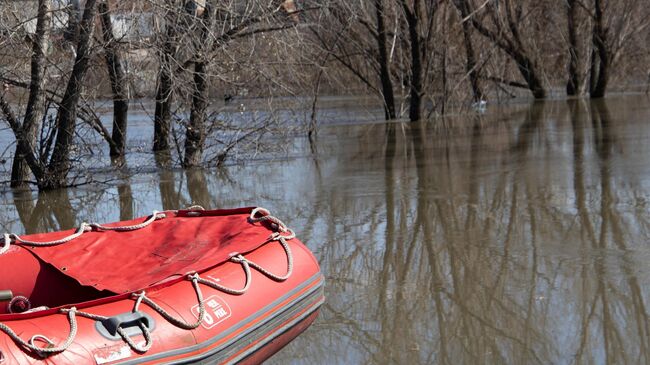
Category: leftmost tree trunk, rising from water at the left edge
[36,104]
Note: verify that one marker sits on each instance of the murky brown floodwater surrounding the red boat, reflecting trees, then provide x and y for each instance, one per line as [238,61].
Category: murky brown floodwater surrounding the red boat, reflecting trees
[516,236]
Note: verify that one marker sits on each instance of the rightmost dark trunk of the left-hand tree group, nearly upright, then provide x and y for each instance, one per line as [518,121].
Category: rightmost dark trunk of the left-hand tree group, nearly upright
[195,132]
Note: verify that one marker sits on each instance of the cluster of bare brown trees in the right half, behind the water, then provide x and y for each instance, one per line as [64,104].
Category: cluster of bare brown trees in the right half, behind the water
[428,53]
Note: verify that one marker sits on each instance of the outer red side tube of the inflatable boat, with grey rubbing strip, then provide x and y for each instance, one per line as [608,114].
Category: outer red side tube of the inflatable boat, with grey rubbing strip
[246,328]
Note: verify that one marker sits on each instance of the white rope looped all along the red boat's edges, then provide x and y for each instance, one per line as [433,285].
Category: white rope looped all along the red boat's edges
[141,297]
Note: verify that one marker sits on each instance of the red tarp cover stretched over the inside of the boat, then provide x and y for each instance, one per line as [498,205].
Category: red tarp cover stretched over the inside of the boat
[128,261]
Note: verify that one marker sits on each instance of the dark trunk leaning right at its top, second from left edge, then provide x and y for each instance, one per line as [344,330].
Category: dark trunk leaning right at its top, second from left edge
[67,113]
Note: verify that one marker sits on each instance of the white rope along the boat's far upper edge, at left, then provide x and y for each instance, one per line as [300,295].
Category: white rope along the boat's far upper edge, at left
[12,238]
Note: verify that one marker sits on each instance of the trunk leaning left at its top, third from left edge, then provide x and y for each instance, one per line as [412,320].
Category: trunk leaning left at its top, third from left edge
[117,76]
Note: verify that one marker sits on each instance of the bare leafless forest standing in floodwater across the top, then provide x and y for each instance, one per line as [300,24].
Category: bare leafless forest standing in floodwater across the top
[195,60]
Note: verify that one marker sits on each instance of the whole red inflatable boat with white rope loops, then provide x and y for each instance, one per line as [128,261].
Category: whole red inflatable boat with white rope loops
[178,287]
